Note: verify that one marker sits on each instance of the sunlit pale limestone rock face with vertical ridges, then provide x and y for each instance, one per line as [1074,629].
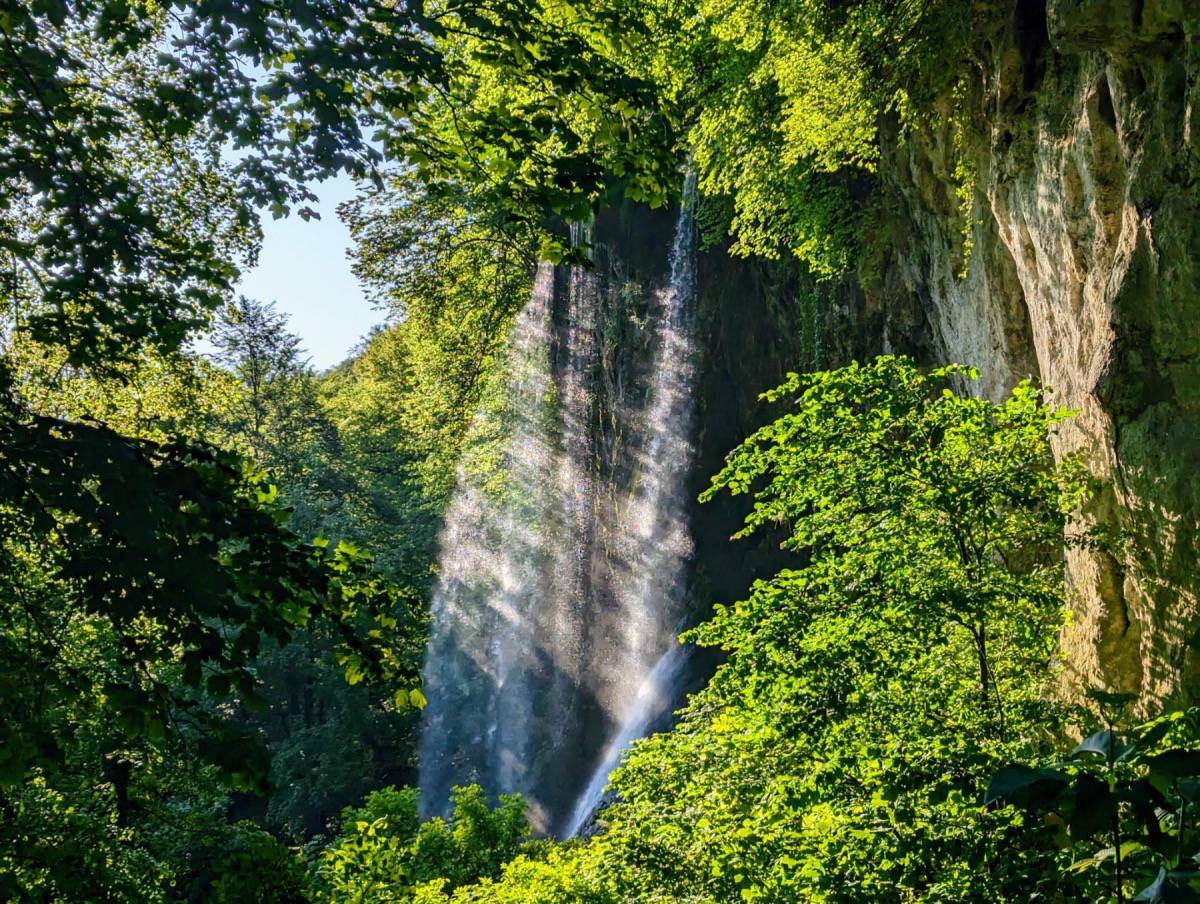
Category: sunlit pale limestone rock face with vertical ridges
[1084,272]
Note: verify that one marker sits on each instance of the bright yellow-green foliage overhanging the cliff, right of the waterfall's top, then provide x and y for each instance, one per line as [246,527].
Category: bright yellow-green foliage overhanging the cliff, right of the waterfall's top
[781,106]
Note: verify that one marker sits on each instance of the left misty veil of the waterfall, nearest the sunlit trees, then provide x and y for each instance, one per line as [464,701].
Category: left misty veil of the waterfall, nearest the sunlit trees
[478,666]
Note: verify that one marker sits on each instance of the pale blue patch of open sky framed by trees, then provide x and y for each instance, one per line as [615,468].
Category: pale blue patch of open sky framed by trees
[304,270]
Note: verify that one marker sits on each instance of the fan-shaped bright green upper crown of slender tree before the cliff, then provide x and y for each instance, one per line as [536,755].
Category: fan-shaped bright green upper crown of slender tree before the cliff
[934,500]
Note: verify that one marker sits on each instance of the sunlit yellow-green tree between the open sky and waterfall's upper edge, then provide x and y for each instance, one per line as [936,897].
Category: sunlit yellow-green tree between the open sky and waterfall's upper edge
[455,273]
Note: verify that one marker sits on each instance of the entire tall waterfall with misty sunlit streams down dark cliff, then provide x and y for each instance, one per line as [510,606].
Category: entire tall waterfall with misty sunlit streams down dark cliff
[563,554]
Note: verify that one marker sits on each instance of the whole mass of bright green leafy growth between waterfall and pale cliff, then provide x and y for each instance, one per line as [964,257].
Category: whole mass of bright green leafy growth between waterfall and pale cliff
[843,749]
